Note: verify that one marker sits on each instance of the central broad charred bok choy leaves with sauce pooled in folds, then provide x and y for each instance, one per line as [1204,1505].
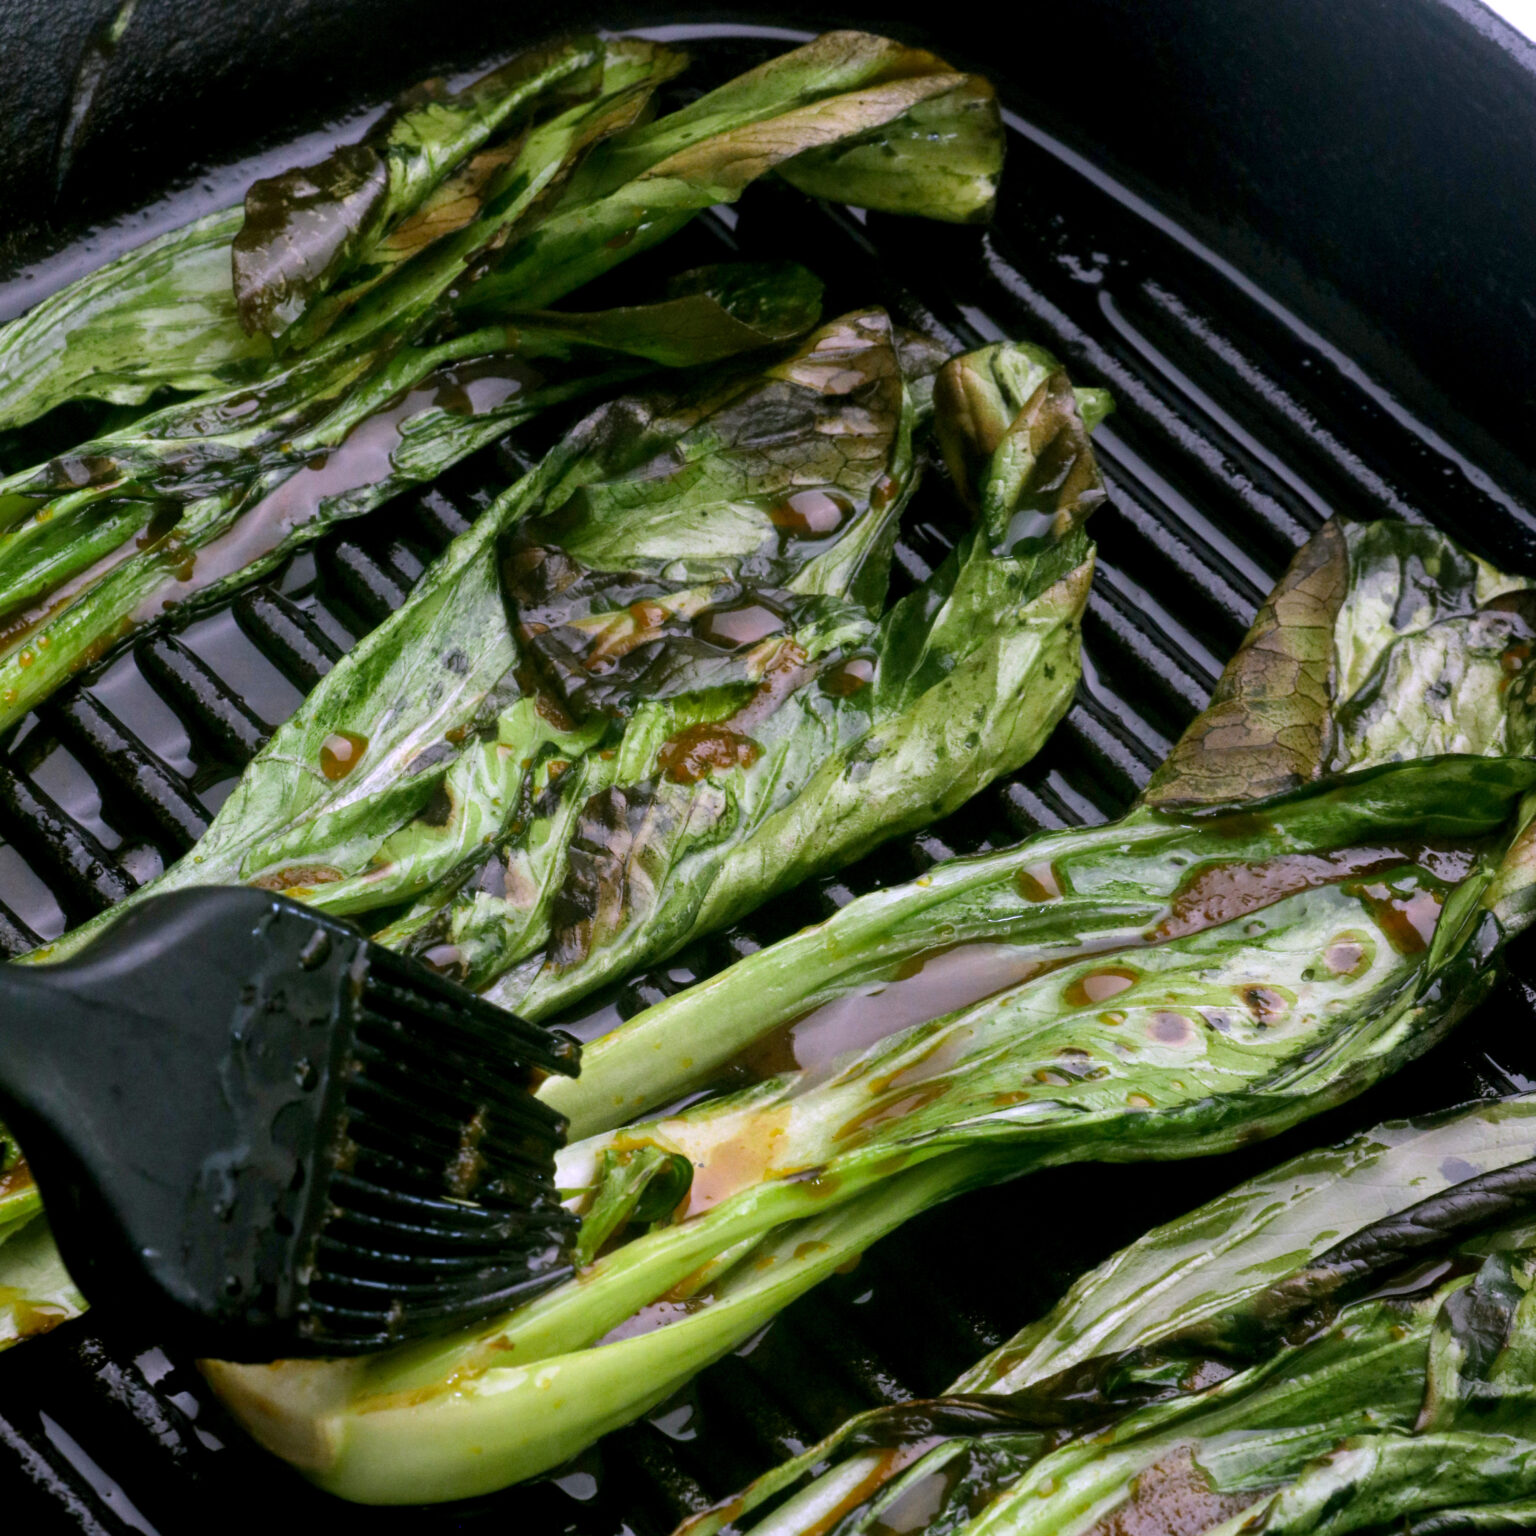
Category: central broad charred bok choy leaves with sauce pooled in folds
[654,684]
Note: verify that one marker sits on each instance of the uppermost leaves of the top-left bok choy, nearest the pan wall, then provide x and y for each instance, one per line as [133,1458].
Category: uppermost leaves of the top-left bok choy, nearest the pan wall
[446,190]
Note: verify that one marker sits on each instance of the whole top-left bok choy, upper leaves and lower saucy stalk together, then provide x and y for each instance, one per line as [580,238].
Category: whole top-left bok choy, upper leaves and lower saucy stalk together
[386,310]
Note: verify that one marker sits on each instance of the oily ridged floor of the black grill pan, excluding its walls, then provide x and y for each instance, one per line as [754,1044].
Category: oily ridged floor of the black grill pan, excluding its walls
[1239,431]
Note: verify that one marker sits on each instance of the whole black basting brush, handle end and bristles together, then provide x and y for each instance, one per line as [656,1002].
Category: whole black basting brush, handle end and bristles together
[294,1142]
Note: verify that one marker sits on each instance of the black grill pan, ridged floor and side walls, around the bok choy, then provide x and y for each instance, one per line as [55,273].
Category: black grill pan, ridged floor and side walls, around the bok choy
[1294,239]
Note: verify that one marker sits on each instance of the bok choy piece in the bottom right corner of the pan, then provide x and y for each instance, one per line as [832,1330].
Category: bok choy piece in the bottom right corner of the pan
[1334,1346]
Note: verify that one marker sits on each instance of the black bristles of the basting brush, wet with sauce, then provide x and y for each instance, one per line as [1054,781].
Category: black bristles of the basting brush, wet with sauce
[442,1208]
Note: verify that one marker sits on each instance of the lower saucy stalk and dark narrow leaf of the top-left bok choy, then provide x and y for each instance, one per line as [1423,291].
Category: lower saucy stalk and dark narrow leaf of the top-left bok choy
[128,558]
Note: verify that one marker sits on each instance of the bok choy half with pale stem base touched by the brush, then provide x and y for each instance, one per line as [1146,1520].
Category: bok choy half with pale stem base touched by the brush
[1214,967]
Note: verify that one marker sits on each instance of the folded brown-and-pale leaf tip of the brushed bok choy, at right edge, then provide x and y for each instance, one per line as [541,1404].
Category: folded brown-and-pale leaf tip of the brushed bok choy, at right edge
[1382,643]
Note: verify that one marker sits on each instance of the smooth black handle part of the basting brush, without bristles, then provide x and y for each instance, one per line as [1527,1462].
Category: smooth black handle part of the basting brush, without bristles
[176,1082]
